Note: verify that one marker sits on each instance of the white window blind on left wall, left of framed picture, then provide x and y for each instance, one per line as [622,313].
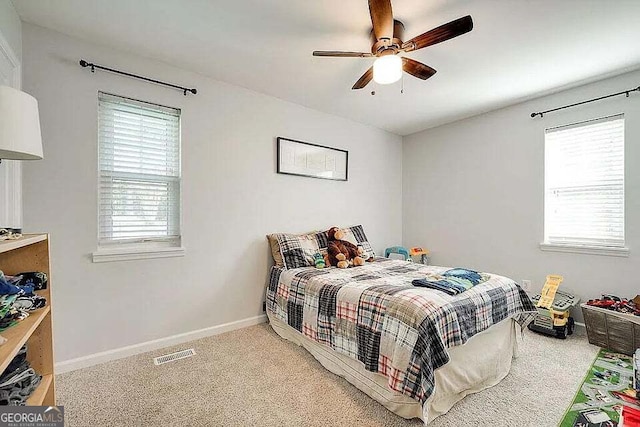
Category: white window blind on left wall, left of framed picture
[139,160]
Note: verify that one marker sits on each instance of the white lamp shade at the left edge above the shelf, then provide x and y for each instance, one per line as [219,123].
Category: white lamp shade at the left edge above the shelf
[20,137]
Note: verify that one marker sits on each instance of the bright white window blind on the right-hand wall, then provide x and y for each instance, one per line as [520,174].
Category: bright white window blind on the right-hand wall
[584,183]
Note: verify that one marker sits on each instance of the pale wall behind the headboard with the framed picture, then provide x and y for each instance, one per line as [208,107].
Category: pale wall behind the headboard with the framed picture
[232,196]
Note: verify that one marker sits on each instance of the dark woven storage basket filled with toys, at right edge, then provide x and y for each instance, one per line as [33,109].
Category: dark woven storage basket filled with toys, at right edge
[612,330]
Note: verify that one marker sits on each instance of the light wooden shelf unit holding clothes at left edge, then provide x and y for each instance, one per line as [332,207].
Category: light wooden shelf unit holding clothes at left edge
[31,253]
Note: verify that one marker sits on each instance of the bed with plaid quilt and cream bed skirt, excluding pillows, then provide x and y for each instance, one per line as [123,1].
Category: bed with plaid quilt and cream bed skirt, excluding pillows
[417,351]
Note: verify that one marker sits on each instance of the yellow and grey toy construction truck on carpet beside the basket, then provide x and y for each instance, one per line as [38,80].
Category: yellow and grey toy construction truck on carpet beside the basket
[554,307]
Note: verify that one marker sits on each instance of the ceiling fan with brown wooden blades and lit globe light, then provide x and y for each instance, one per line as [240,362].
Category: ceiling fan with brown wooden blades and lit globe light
[387,44]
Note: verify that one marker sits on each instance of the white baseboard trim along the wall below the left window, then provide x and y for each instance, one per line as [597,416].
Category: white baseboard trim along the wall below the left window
[131,350]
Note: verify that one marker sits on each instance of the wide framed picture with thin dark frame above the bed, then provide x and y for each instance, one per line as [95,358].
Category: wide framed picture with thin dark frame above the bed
[312,160]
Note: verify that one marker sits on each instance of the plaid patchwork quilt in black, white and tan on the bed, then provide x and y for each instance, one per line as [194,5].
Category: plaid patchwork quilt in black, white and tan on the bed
[375,315]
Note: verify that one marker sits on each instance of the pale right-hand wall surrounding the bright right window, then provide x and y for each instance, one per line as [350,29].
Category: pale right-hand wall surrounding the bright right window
[473,192]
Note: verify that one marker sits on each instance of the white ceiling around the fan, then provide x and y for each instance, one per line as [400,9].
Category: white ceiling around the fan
[516,50]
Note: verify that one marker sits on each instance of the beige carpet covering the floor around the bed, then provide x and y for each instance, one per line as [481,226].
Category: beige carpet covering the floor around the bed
[252,377]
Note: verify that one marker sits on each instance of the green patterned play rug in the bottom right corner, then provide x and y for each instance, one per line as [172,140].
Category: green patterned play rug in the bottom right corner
[607,386]
